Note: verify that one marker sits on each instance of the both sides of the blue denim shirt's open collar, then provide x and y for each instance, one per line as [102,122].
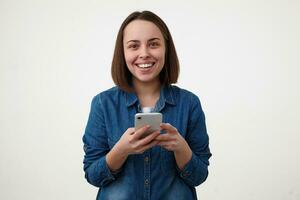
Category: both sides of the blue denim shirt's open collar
[166,96]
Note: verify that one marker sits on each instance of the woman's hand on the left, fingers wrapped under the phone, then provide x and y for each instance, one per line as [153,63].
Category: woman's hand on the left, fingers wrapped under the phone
[132,142]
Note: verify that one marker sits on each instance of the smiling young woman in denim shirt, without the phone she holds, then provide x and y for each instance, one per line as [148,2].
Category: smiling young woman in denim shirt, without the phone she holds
[167,164]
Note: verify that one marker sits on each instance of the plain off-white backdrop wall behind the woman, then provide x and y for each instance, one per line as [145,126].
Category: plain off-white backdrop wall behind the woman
[240,57]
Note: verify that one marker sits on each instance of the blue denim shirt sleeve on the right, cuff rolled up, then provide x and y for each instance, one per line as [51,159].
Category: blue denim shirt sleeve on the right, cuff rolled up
[195,171]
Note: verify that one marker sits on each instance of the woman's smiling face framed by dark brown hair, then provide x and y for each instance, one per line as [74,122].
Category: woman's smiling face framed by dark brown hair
[144,51]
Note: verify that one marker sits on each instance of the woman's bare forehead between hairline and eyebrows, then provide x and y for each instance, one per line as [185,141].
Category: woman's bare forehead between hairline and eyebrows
[141,30]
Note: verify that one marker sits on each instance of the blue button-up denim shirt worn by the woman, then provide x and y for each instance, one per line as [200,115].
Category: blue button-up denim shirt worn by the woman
[154,174]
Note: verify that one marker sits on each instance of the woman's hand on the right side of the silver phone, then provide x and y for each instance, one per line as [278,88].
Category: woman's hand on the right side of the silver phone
[171,139]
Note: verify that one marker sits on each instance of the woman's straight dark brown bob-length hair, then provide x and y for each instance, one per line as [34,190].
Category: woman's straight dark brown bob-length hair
[119,71]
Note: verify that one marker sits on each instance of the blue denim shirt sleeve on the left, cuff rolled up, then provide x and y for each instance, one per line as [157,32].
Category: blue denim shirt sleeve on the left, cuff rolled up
[96,147]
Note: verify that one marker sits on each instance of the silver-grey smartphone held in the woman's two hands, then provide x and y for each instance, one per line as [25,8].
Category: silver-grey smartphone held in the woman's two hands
[152,119]
